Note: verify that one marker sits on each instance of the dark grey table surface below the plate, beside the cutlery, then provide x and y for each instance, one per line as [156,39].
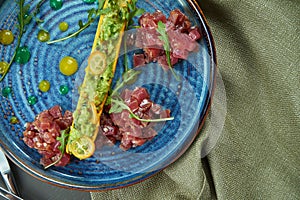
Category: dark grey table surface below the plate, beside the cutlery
[34,189]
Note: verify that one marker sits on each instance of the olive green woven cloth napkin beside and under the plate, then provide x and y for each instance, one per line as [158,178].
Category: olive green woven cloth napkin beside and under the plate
[257,154]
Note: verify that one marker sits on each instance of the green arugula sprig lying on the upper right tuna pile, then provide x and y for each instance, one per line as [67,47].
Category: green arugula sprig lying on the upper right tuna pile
[161,29]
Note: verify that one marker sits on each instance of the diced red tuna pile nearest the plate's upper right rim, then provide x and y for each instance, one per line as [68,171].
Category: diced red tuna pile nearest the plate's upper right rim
[182,38]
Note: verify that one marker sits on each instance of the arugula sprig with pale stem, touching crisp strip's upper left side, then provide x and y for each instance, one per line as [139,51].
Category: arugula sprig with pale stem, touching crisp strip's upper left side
[92,15]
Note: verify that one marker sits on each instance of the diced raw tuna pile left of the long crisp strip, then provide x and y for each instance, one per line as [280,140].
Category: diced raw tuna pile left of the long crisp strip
[42,134]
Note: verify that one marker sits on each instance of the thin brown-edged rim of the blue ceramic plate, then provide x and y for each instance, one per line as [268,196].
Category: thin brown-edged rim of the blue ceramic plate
[213,60]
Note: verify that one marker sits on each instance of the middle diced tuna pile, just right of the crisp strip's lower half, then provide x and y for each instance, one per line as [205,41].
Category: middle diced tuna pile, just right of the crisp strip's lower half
[129,131]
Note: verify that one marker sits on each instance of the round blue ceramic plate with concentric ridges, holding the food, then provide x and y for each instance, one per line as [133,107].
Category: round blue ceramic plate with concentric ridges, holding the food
[109,167]
